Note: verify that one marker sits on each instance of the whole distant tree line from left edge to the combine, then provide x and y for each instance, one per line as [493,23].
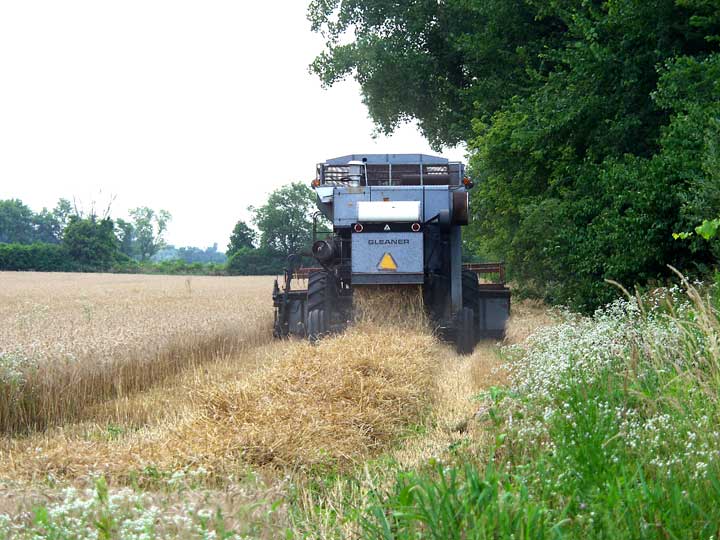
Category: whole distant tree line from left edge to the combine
[65,239]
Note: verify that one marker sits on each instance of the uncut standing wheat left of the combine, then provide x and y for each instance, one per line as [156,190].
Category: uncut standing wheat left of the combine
[68,341]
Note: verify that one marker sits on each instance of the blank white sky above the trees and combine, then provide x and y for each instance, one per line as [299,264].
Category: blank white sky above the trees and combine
[200,108]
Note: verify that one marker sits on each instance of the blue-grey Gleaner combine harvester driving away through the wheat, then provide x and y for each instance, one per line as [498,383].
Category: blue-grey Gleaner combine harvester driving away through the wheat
[397,220]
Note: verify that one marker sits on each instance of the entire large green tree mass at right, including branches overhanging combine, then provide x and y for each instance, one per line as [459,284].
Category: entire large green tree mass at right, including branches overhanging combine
[592,126]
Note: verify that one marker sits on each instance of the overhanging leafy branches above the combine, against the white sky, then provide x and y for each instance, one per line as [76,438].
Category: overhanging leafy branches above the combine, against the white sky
[438,62]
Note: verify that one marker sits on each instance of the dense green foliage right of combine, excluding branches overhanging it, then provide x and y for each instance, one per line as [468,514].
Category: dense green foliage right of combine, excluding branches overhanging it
[587,178]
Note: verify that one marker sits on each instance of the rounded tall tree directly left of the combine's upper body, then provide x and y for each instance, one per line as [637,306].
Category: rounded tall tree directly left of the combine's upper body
[285,221]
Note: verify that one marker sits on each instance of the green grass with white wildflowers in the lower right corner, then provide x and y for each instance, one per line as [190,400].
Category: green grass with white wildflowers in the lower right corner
[609,430]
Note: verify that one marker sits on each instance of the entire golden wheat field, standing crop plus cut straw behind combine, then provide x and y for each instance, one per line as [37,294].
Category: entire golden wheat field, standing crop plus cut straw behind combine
[145,380]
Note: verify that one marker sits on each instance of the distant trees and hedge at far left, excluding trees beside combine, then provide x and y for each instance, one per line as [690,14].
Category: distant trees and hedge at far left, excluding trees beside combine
[68,239]
